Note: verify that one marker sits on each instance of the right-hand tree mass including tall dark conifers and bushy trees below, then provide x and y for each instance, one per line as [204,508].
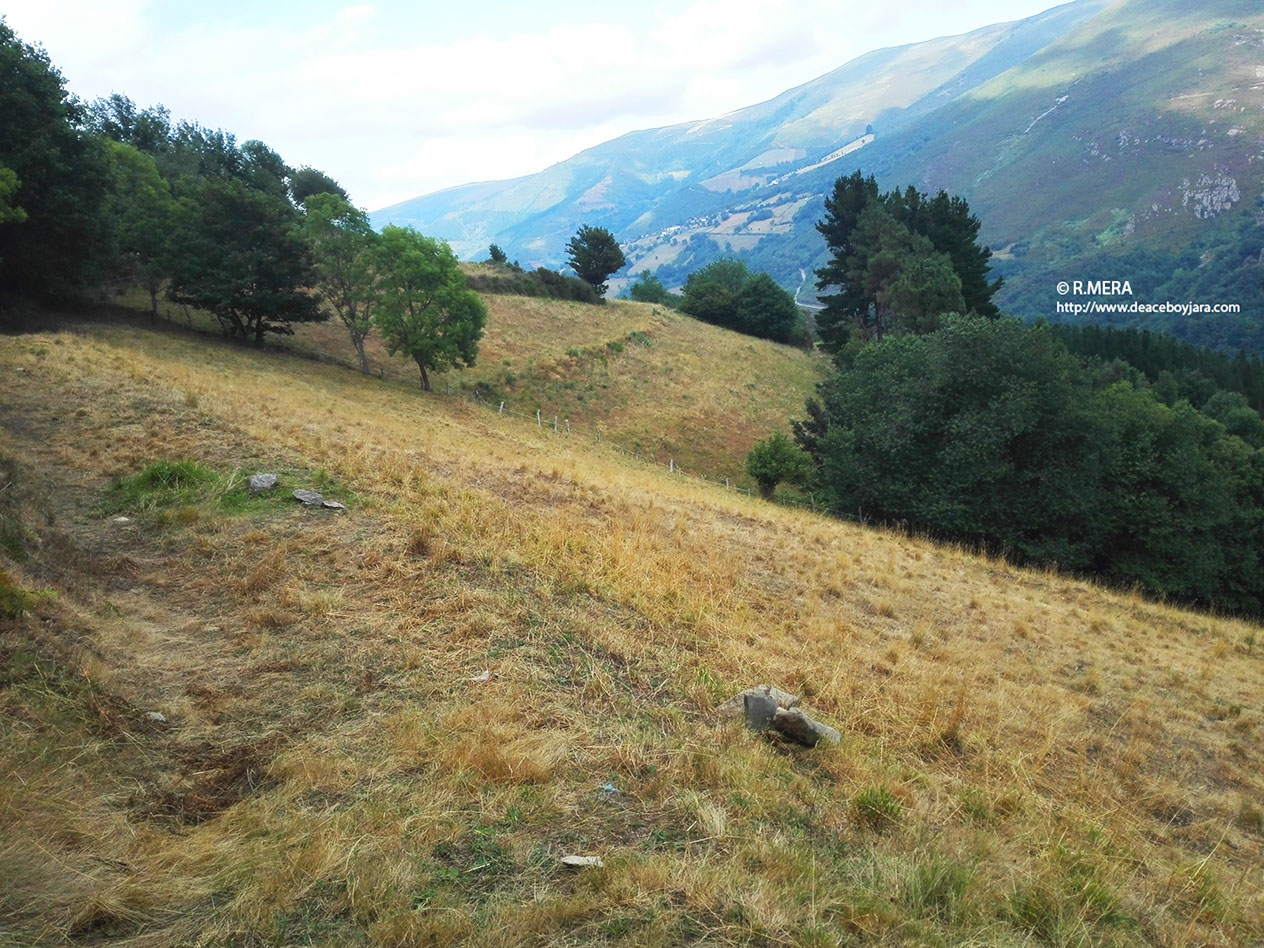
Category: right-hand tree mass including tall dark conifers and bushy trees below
[1122,456]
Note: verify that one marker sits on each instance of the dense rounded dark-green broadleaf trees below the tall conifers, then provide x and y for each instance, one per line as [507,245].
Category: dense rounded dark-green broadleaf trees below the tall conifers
[992,433]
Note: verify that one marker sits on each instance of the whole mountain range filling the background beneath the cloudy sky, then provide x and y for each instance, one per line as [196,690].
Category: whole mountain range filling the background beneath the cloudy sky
[1097,141]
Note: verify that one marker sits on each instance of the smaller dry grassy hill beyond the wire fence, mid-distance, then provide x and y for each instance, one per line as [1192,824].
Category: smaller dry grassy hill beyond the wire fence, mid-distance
[648,379]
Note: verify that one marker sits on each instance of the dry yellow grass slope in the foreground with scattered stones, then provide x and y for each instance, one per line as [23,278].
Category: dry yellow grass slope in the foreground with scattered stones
[1026,760]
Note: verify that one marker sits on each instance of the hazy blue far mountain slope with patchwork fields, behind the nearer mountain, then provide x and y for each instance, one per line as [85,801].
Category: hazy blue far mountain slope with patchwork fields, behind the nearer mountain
[654,180]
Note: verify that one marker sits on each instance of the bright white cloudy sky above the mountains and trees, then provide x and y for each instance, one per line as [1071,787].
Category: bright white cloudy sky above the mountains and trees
[400,99]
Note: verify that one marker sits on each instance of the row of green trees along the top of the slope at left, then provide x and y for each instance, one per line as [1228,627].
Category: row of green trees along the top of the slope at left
[106,193]
